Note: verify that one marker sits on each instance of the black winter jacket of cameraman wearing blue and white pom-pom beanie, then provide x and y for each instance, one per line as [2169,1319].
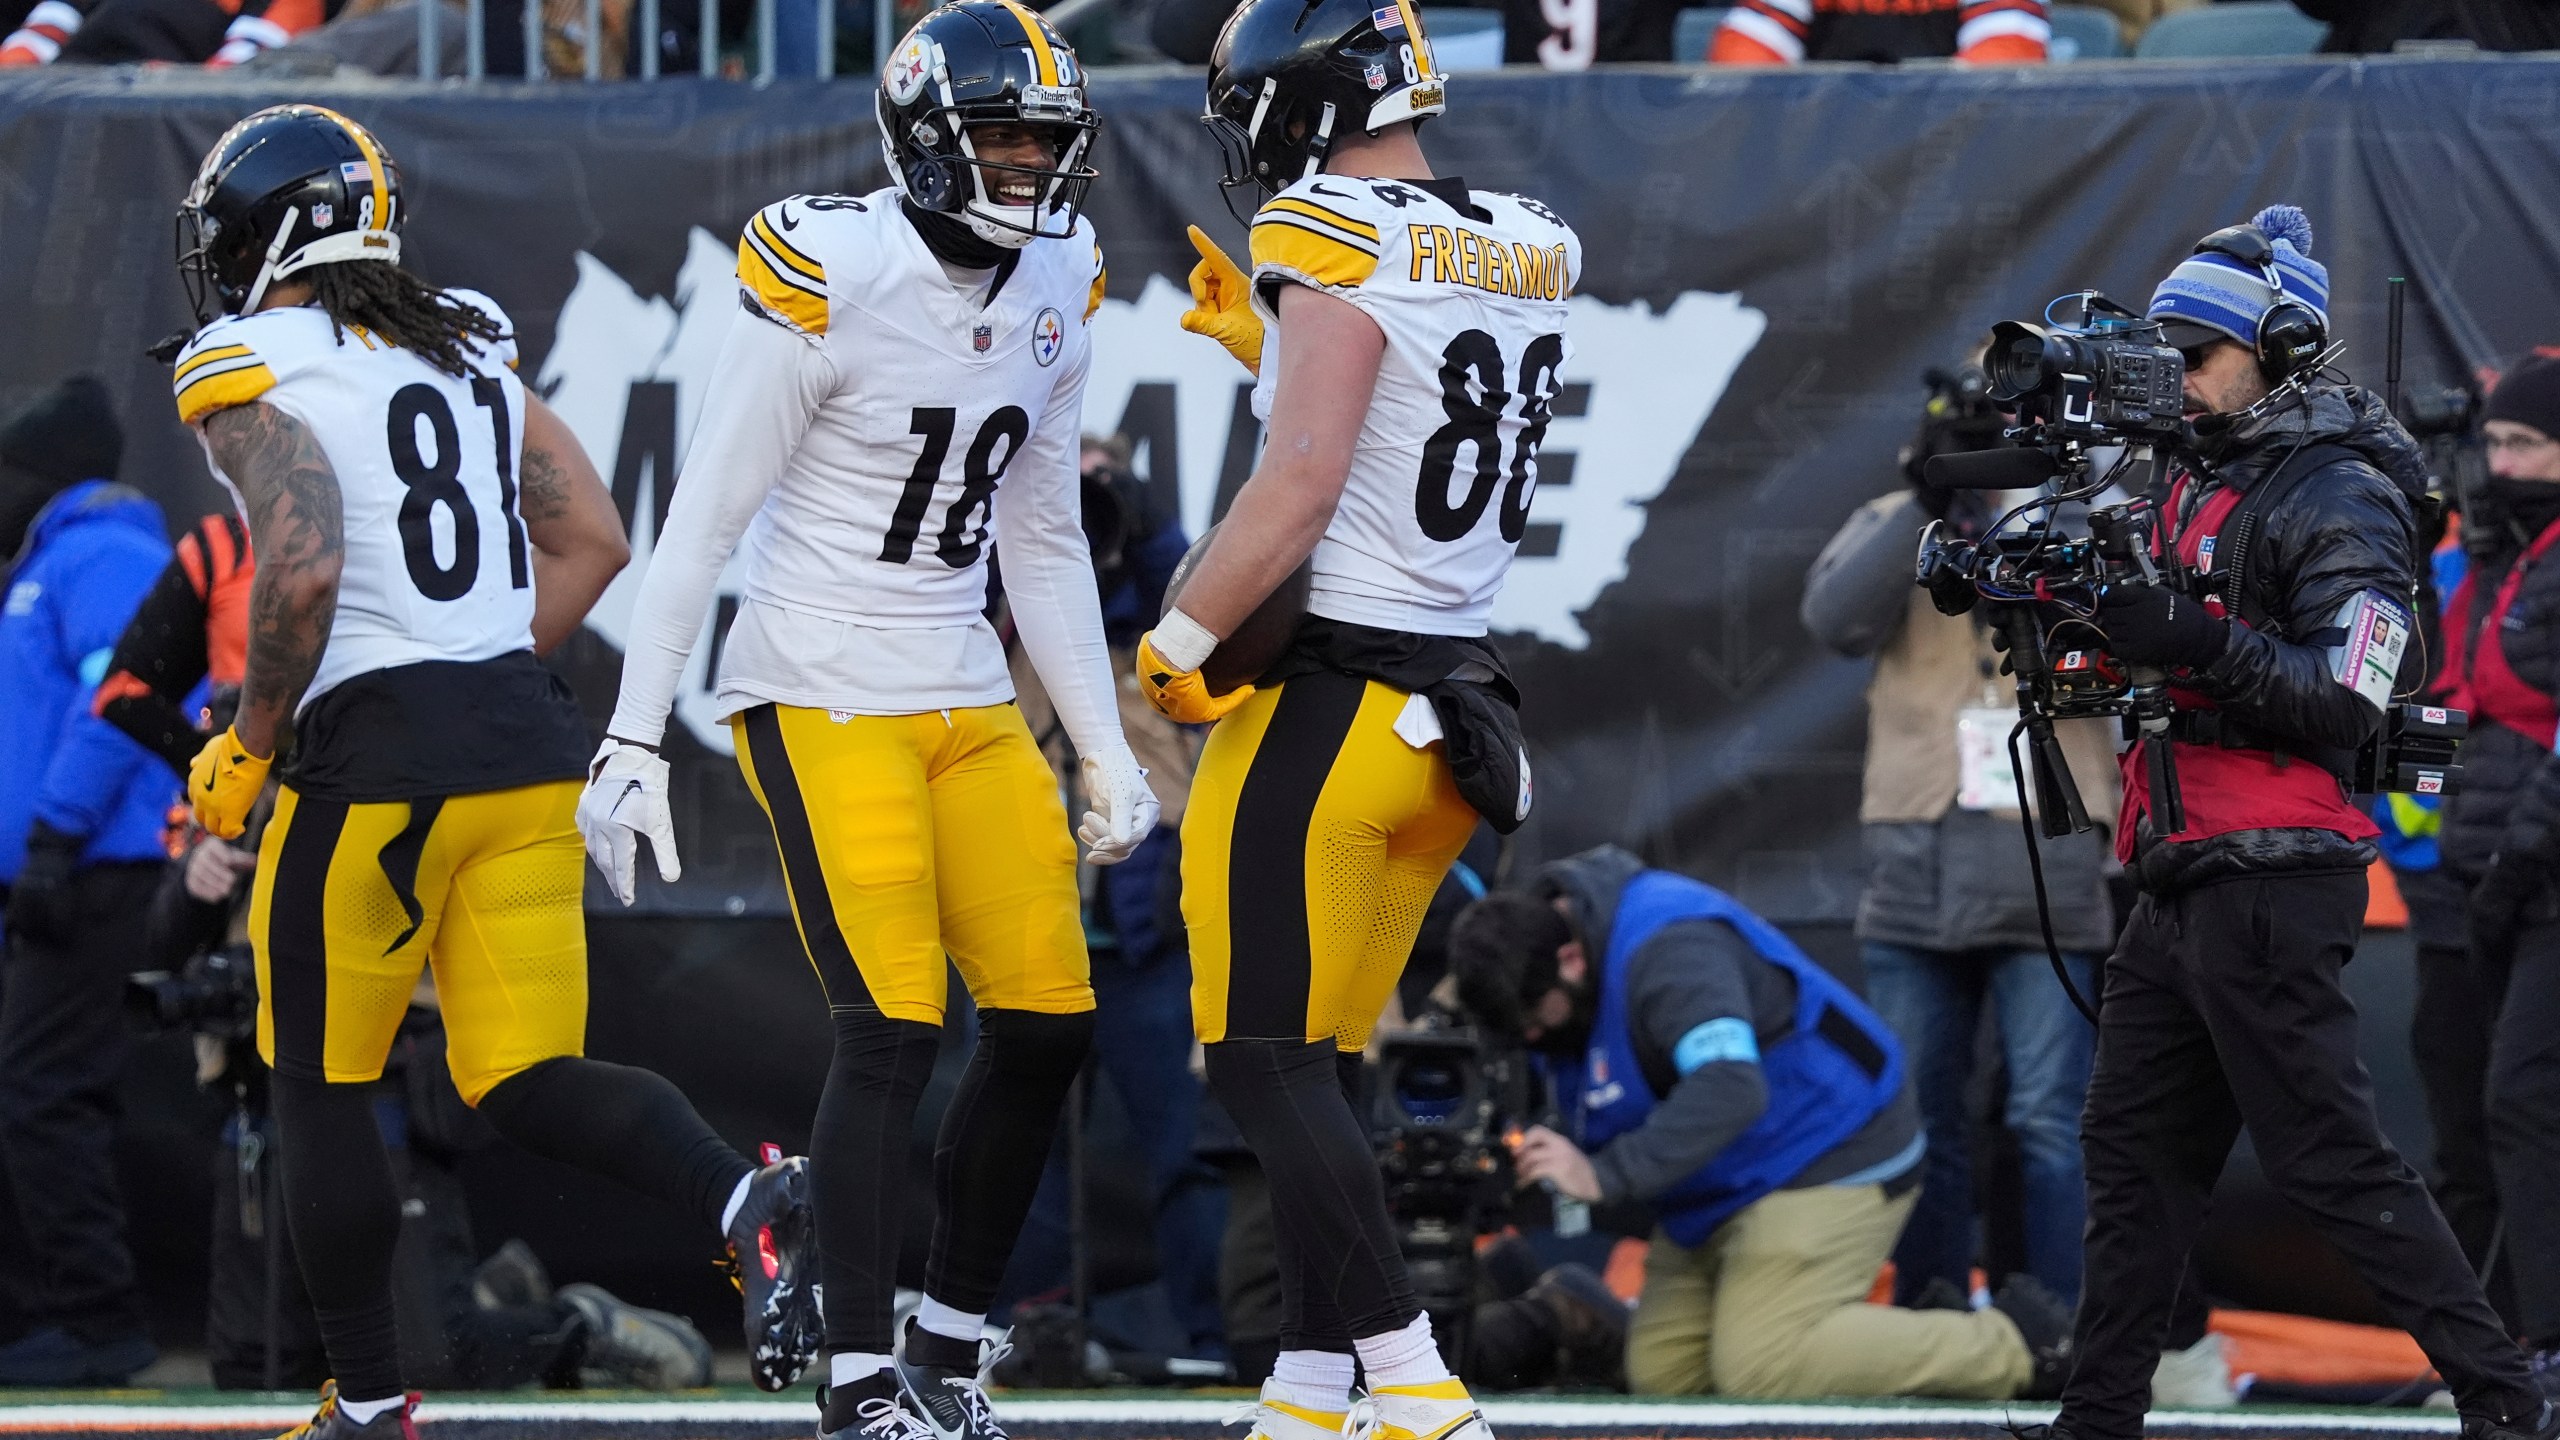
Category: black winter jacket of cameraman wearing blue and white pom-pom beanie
[2344,529]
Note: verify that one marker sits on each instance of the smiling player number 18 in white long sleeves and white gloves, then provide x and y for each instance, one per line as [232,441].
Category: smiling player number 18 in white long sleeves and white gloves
[897,398]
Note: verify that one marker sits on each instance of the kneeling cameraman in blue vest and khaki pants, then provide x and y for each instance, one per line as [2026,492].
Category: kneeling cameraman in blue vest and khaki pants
[1760,1108]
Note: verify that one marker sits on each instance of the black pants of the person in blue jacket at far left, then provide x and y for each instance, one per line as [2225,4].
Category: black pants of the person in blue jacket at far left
[63,1054]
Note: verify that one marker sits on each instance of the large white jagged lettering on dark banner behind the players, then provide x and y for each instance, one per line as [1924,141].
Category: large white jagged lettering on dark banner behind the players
[628,375]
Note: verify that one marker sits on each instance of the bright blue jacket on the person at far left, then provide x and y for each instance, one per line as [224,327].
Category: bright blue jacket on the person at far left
[88,562]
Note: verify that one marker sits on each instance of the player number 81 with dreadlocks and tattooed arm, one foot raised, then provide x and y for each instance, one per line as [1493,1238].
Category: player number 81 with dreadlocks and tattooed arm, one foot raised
[424,527]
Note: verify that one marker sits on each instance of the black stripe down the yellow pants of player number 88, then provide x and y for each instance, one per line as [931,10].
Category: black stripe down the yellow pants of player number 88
[1271,954]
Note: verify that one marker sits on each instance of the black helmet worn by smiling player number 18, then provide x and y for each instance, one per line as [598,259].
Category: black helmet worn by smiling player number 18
[987,63]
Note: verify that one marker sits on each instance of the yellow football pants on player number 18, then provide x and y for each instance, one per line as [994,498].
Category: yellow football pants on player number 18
[915,837]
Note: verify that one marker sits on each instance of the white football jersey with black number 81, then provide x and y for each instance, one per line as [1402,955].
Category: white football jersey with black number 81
[436,555]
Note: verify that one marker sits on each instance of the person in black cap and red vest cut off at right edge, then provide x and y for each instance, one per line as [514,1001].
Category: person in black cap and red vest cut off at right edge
[2502,831]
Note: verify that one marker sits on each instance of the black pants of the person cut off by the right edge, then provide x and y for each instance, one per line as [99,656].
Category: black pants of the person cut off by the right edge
[2523,1116]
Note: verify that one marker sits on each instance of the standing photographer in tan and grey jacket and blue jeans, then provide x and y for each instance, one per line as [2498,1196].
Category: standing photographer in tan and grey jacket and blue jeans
[1949,919]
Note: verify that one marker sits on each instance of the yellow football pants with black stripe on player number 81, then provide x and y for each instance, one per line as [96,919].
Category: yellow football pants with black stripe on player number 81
[352,901]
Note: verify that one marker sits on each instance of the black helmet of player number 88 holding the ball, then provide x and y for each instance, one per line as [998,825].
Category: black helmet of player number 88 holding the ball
[1289,76]
